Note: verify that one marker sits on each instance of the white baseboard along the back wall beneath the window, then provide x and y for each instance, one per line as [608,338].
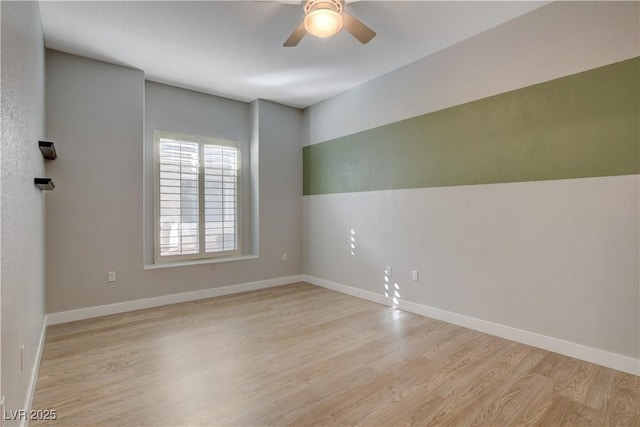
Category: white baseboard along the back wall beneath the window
[122,307]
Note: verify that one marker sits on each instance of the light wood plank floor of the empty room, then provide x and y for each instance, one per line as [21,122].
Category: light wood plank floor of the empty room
[302,355]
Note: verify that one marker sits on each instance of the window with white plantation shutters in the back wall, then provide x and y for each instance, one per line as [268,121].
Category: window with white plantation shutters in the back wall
[197,197]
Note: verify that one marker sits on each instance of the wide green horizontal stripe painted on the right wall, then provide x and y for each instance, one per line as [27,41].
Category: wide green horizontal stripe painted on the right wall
[582,125]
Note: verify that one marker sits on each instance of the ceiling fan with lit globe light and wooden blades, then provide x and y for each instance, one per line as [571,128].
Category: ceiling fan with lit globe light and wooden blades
[325,18]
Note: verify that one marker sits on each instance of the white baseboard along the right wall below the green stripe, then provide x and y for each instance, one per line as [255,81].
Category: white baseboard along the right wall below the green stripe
[556,345]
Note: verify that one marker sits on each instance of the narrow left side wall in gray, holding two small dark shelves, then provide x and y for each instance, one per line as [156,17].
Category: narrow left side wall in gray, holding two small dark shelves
[22,207]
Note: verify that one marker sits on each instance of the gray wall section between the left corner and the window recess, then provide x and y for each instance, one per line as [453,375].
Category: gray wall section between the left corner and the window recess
[94,112]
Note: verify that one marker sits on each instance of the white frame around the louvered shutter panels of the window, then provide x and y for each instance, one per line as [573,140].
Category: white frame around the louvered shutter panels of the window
[202,141]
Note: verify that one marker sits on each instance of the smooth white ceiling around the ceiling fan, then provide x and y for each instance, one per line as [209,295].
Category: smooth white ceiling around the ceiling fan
[234,48]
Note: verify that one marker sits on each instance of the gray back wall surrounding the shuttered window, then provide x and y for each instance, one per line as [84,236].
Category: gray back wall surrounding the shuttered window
[95,112]
